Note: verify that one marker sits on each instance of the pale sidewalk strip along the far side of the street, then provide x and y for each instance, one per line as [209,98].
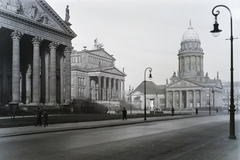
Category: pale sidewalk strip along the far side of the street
[27,130]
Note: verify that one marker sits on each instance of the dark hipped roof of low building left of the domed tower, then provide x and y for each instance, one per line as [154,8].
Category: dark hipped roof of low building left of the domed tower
[151,88]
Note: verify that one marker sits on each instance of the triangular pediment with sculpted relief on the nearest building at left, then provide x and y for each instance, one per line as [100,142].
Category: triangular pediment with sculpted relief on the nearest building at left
[38,12]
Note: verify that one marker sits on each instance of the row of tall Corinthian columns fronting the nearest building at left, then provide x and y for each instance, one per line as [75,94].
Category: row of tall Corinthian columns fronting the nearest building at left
[48,76]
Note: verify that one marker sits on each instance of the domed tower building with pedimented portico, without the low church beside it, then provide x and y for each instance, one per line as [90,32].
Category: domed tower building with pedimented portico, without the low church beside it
[190,88]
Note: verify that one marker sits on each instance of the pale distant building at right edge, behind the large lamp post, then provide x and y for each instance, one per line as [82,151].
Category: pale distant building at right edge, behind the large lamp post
[226,94]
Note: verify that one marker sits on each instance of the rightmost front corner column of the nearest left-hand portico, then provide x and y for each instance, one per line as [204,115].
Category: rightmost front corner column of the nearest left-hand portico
[67,53]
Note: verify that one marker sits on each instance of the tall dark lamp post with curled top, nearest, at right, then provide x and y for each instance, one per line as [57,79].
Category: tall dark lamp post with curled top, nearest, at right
[216,32]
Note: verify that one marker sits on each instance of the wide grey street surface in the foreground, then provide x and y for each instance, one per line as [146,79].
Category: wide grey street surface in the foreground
[200,138]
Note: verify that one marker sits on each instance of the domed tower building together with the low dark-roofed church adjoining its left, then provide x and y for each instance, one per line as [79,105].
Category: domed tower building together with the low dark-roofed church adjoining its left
[189,87]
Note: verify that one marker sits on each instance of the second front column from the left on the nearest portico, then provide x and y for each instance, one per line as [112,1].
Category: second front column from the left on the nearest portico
[36,69]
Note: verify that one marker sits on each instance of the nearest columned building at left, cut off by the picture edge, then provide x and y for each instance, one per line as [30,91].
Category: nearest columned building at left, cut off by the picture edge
[35,48]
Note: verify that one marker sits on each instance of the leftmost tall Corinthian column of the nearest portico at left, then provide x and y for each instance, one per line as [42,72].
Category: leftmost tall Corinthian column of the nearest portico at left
[16,35]
